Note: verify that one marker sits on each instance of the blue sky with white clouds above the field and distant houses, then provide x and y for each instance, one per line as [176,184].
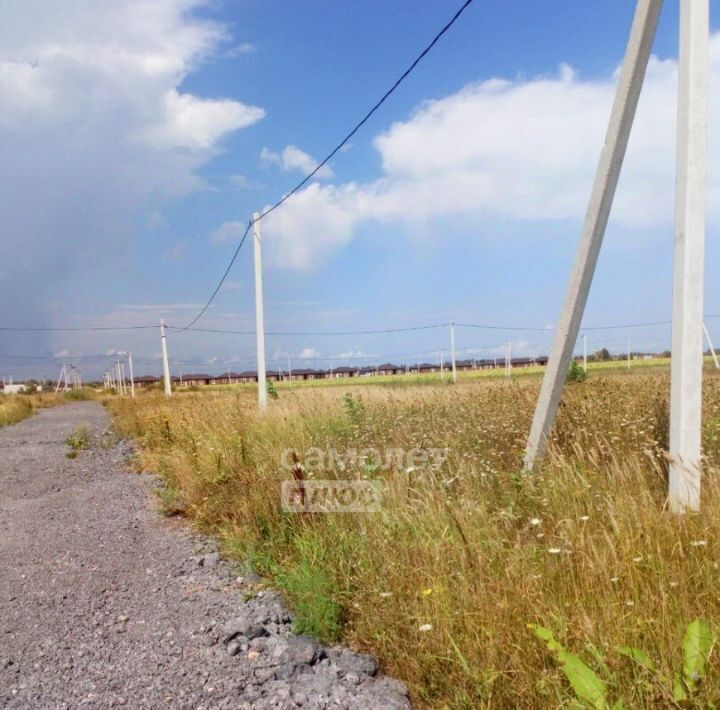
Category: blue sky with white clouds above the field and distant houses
[139,136]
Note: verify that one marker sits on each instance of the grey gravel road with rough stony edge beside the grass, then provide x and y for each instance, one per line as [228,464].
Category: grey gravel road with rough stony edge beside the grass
[104,603]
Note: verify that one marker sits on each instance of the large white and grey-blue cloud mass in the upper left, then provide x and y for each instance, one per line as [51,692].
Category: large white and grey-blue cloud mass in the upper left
[97,134]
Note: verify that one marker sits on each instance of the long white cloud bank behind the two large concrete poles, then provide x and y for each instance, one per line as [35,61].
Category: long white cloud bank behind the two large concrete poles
[524,150]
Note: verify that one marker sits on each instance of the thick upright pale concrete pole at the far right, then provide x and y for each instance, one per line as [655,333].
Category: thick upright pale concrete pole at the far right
[687,329]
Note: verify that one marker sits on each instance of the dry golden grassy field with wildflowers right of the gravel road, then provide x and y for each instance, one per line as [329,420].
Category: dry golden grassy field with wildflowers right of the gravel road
[467,553]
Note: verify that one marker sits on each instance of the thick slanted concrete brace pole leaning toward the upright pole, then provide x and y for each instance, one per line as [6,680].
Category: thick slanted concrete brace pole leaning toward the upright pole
[606,179]
